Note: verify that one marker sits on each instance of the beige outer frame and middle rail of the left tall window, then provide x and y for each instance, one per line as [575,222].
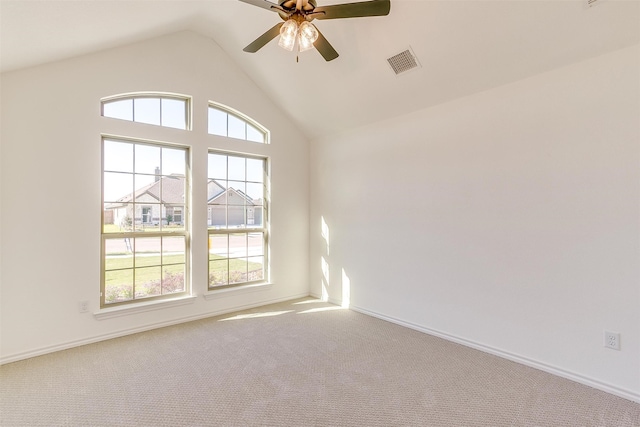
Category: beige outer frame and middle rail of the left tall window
[186,232]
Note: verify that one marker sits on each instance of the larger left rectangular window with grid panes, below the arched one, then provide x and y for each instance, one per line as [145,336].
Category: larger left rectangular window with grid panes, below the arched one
[144,248]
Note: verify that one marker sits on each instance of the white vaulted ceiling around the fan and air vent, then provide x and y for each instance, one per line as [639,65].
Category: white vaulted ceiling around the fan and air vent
[463,46]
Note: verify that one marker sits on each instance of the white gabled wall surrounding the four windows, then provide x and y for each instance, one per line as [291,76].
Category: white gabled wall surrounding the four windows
[51,175]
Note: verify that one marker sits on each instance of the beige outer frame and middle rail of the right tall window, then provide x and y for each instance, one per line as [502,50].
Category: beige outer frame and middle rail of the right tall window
[264,229]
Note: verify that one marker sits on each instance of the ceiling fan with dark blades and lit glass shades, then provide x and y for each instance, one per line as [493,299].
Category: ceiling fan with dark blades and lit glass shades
[297,27]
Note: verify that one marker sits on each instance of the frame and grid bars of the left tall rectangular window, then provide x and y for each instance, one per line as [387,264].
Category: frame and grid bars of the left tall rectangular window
[130,236]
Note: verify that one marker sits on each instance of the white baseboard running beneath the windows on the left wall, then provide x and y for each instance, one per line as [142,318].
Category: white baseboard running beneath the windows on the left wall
[77,343]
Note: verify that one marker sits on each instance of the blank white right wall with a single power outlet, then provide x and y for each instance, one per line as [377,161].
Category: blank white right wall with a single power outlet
[507,220]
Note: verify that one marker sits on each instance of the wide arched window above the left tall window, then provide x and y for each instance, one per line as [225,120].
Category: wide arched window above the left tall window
[168,111]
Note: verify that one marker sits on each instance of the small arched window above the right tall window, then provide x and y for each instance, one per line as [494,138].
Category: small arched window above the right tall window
[224,121]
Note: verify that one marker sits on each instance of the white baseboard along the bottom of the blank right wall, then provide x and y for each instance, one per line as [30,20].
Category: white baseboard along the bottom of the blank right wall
[591,382]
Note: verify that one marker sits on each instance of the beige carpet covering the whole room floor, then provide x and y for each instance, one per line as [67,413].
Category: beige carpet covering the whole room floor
[300,363]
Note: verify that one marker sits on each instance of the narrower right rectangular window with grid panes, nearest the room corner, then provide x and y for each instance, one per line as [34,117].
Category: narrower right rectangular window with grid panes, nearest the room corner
[237,213]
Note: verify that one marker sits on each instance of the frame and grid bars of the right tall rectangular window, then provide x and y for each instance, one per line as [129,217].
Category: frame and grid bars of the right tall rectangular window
[247,229]
